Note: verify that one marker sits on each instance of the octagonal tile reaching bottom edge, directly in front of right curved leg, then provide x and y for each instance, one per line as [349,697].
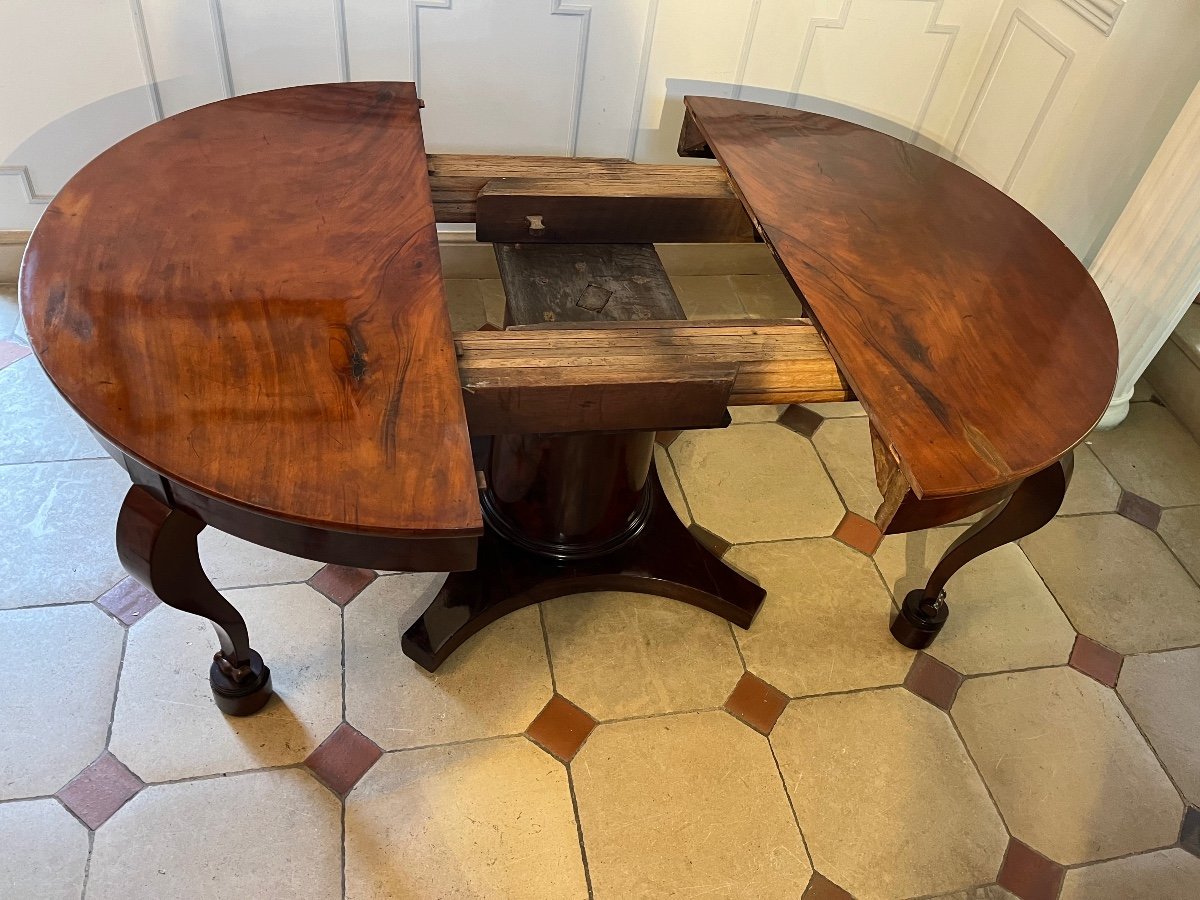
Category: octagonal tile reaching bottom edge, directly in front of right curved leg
[889,800]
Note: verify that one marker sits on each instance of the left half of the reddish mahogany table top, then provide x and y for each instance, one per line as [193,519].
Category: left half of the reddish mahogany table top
[248,299]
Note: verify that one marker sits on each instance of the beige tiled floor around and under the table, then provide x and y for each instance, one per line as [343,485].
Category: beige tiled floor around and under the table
[862,781]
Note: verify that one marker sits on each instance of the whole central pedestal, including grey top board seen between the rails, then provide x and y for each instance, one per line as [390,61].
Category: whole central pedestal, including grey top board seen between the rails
[574,513]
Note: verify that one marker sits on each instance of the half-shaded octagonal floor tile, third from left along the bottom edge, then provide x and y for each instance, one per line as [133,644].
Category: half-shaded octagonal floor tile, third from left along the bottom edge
[490,819]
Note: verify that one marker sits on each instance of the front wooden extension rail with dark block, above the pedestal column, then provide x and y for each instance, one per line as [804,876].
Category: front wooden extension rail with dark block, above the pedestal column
[651,376]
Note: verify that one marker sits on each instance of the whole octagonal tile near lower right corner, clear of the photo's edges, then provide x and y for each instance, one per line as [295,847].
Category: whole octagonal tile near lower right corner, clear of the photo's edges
[1072,775]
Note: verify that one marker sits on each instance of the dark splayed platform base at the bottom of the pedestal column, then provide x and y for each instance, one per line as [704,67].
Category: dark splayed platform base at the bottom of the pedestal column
[664,559]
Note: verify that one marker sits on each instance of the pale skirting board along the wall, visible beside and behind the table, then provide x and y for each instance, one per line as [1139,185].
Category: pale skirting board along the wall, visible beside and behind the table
[463,257]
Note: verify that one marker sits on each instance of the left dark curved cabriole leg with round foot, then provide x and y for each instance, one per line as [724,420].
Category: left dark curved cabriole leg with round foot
[157,545]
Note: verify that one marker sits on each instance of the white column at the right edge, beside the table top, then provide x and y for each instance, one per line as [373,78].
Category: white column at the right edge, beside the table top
[1149,269]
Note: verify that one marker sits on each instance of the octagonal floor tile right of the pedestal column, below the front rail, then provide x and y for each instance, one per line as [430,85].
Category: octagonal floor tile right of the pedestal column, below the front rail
[757,483]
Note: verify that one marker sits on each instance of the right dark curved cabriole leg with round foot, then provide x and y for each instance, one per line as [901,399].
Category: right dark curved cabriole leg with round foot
[1035,503]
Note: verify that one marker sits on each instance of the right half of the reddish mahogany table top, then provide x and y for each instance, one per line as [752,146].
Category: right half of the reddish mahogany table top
[977,343]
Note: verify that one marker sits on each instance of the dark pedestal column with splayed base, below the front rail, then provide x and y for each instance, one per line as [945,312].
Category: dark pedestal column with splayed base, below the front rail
[591,515]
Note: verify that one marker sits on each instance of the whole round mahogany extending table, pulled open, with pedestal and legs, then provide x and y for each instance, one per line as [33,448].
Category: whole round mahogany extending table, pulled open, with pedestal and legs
[245,304]
